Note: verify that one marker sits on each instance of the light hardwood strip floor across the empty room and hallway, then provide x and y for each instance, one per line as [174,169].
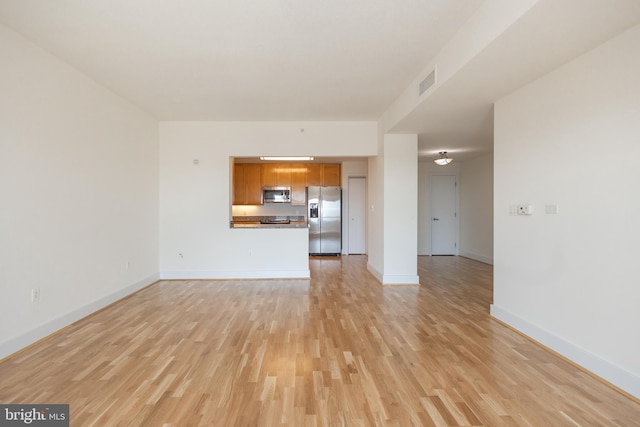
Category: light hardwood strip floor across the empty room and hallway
[336,350]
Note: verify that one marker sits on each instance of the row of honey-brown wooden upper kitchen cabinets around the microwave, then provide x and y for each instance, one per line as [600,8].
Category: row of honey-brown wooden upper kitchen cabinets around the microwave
[249,178]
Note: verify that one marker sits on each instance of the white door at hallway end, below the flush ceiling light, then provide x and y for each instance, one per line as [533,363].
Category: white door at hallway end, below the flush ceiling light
[443,215]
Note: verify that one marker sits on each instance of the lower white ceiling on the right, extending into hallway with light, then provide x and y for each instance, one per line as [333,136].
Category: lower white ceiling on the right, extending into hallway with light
[458,117]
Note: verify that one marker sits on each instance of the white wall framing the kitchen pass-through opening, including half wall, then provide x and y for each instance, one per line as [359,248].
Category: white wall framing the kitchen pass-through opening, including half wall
[195,237]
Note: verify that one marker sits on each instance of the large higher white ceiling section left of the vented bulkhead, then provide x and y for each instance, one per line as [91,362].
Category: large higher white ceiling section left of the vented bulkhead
[245,59]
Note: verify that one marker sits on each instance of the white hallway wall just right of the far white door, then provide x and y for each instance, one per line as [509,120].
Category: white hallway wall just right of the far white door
[476,208]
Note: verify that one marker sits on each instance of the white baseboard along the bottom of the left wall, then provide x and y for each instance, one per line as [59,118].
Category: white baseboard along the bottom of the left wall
[19,342]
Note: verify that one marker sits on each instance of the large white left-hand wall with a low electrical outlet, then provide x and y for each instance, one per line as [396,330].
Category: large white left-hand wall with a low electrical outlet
[79,186]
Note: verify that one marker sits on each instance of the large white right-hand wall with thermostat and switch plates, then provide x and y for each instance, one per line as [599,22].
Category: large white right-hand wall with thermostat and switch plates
[570,280]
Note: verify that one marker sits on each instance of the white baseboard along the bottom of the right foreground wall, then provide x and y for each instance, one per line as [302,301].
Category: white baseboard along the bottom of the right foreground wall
[616,375]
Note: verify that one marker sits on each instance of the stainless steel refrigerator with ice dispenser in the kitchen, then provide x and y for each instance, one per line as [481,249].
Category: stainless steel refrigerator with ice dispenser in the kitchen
[324,213]
